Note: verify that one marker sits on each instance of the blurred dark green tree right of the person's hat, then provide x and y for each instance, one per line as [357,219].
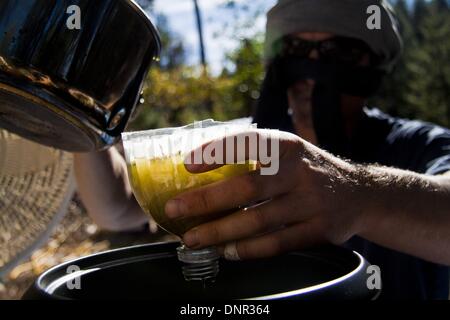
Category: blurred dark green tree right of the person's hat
[419,86]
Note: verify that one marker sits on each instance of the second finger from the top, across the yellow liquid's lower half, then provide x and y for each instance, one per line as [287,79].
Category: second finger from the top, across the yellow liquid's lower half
[230,194]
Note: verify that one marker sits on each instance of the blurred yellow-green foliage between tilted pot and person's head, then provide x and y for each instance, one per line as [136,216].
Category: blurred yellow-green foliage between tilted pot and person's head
[179,95]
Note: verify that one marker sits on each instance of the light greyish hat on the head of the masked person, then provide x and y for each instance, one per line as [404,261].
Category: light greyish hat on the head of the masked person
[346,18]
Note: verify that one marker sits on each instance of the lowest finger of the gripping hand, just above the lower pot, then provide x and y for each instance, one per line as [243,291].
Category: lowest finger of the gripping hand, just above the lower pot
[295,237]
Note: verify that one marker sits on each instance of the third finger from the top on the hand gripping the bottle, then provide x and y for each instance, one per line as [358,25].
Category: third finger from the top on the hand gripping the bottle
[243,224]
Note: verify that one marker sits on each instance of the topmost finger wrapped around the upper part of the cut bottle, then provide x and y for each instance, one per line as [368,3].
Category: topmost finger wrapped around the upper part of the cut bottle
[258,145]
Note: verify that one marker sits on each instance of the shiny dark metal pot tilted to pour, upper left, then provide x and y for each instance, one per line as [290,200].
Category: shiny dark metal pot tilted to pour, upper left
[73,89]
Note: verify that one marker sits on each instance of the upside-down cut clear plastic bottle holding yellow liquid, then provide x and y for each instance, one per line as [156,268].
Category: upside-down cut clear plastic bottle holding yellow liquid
[156,169]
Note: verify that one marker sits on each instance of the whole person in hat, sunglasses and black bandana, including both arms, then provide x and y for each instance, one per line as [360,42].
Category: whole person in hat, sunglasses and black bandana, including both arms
[349,175]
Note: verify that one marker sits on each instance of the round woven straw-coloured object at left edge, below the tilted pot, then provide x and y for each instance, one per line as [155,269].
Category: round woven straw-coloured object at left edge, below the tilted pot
[36,186]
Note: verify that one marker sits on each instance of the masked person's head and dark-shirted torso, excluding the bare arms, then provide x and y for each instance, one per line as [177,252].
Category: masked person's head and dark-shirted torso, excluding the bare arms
[316,86]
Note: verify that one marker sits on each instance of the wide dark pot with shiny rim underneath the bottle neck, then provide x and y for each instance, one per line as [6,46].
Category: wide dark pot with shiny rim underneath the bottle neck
[153,272]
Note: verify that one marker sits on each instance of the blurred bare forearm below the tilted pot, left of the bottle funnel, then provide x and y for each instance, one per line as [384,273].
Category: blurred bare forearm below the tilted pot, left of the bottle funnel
[105,191]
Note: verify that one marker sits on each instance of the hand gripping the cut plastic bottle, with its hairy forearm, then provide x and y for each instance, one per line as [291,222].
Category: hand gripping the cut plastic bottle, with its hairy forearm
[315,198]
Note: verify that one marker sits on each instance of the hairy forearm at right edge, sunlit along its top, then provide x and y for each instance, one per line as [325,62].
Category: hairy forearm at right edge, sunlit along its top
[407,212]
